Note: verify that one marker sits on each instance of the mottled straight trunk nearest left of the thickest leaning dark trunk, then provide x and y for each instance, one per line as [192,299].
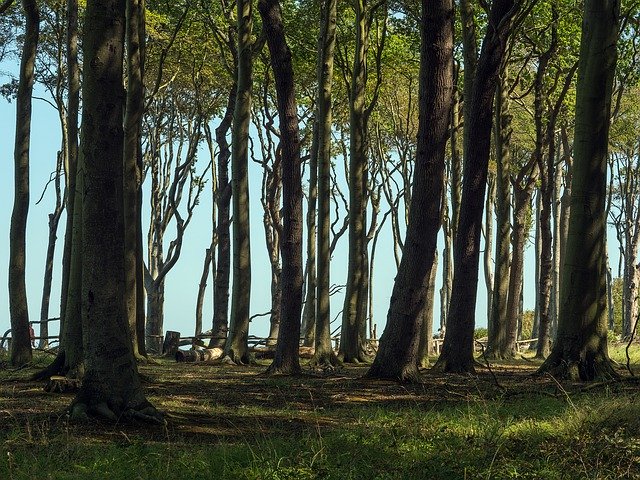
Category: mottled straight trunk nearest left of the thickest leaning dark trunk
[352,348]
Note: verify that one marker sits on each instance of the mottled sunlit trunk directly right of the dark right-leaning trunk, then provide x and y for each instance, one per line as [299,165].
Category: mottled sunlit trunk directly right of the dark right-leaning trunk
[498,318]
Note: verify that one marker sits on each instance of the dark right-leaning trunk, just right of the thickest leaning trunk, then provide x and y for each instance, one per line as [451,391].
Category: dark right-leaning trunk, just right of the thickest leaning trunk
[457,351]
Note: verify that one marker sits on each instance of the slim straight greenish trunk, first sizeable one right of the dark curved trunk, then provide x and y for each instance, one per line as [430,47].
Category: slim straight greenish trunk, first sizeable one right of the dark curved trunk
[326,45]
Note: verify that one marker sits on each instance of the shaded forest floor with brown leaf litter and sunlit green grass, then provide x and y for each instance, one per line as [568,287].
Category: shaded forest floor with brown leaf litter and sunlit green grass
[228,422]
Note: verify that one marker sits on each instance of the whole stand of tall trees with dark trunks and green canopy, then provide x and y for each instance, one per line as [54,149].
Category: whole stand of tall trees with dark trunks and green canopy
[503,120]
